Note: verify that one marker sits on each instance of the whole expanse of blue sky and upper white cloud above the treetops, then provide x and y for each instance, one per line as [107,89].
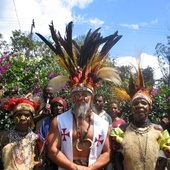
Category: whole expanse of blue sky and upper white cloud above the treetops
[143,23]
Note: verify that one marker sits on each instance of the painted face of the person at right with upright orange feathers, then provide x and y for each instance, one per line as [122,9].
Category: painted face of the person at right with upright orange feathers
[140,109]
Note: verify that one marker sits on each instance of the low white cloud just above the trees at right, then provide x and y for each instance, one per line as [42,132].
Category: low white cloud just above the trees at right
[146,60]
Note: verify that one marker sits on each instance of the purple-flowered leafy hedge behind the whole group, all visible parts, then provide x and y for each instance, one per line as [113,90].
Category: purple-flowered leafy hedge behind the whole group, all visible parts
[19,75]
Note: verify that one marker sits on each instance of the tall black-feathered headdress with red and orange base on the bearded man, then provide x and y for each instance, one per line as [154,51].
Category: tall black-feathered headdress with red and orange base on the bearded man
[86,65]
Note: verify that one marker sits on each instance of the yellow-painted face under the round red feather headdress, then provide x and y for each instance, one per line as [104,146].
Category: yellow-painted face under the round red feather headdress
[23,119]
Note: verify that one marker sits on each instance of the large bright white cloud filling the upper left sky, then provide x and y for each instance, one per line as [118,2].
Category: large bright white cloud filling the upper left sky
[19,14]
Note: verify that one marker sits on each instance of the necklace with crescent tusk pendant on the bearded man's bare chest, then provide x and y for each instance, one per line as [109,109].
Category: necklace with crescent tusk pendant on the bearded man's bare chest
[81,138]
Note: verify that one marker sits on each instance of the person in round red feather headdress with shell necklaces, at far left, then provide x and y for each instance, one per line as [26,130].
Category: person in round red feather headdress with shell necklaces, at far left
[18,146]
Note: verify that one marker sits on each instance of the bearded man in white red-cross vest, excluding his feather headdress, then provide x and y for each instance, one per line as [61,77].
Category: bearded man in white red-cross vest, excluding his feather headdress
[79,138]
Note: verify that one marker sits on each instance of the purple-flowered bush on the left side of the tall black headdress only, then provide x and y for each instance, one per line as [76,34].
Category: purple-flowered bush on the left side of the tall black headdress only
[19,76]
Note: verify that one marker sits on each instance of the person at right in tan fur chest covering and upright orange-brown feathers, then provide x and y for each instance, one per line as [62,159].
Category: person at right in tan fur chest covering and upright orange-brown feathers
[141,142]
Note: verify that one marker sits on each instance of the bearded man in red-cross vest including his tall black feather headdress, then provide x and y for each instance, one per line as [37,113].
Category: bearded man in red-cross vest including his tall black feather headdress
[79,138]
